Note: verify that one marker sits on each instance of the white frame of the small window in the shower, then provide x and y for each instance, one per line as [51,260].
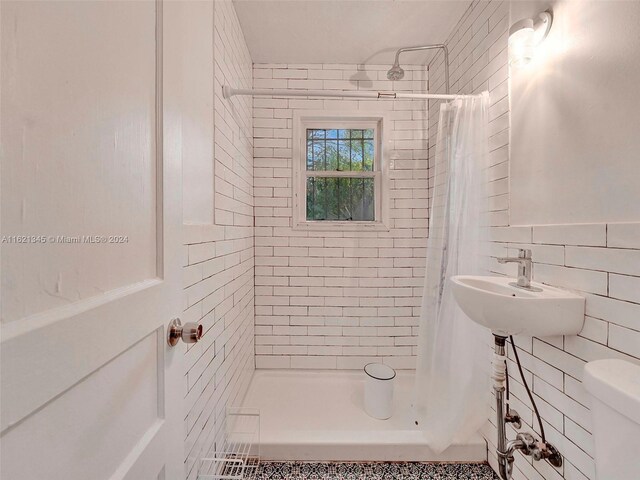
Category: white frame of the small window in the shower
[303,120]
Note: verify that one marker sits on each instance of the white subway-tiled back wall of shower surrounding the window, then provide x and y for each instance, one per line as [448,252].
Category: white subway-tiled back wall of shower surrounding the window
[337,299]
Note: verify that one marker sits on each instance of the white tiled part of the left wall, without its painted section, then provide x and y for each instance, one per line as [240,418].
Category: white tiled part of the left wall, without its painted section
[218,259]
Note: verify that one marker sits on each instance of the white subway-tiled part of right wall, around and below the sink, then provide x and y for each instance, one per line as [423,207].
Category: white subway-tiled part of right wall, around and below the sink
[600,261]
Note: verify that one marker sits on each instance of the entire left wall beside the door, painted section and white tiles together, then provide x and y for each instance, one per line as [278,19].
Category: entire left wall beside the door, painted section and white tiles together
[218,255]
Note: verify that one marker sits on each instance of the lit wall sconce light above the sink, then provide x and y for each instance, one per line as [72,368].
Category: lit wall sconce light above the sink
[525,35]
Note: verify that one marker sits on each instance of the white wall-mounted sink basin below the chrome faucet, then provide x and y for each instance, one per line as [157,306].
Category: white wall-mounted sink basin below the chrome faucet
[508,310]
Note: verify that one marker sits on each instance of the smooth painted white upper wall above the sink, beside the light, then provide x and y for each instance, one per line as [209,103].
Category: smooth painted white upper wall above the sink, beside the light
[575,117]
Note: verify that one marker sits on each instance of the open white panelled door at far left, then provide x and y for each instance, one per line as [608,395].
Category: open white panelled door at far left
[91,277]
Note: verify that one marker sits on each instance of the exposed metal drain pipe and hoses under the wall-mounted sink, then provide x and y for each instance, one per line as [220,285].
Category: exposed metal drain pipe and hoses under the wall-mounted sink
[525,442]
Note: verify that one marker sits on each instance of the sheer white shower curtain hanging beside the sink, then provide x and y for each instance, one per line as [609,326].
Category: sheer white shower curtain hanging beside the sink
[452,376]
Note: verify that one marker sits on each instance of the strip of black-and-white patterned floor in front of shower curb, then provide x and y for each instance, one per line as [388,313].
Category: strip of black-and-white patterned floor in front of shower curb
[372,471]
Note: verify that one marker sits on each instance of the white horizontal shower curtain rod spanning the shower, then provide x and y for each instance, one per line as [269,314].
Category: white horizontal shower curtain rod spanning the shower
[228,92]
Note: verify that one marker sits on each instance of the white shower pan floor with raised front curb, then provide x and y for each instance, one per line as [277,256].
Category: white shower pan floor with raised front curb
[318,415]
